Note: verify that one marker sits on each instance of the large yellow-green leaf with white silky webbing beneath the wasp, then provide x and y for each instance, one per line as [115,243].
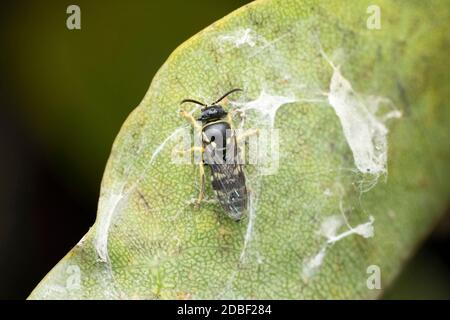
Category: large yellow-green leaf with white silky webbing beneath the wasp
[362,121]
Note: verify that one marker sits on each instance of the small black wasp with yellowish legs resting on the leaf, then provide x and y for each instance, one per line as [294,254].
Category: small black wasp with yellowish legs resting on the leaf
[220,152]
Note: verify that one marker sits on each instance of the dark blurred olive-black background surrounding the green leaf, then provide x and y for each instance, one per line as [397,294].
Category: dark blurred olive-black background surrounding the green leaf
[63,97]
